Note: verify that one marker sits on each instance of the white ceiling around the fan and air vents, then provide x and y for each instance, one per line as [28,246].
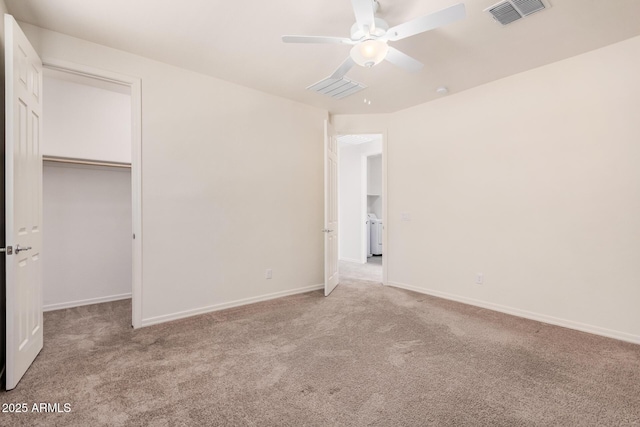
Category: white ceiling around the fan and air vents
[239,41]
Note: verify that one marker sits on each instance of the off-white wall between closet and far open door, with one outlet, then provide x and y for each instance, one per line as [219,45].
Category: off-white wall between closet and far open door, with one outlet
[232,184]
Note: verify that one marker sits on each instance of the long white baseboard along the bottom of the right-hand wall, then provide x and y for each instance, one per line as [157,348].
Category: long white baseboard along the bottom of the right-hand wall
[596,330]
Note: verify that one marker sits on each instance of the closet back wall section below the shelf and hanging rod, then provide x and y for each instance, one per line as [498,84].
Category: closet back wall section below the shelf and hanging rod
[87,239]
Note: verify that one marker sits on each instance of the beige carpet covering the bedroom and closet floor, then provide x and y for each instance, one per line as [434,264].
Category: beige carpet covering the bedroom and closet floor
[366,355]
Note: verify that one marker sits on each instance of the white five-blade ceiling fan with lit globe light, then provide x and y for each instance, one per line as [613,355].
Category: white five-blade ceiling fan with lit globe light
[370,36]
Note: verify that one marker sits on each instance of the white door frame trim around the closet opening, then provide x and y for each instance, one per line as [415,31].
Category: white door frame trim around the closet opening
[135,84]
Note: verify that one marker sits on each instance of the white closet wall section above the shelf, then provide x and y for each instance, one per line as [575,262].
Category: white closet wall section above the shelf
[83,121]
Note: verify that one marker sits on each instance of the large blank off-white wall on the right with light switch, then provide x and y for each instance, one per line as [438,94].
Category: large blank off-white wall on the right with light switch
[532,180]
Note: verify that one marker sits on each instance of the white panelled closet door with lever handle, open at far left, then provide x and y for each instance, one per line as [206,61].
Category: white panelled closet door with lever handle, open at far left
[23,173]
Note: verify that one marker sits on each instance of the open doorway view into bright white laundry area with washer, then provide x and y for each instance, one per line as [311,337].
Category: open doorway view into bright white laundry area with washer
[361,207]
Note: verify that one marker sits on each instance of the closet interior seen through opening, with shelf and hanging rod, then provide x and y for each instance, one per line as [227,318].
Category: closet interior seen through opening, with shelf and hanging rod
[89,193]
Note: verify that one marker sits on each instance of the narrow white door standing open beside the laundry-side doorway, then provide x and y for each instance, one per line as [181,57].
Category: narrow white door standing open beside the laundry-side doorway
[331,276]
